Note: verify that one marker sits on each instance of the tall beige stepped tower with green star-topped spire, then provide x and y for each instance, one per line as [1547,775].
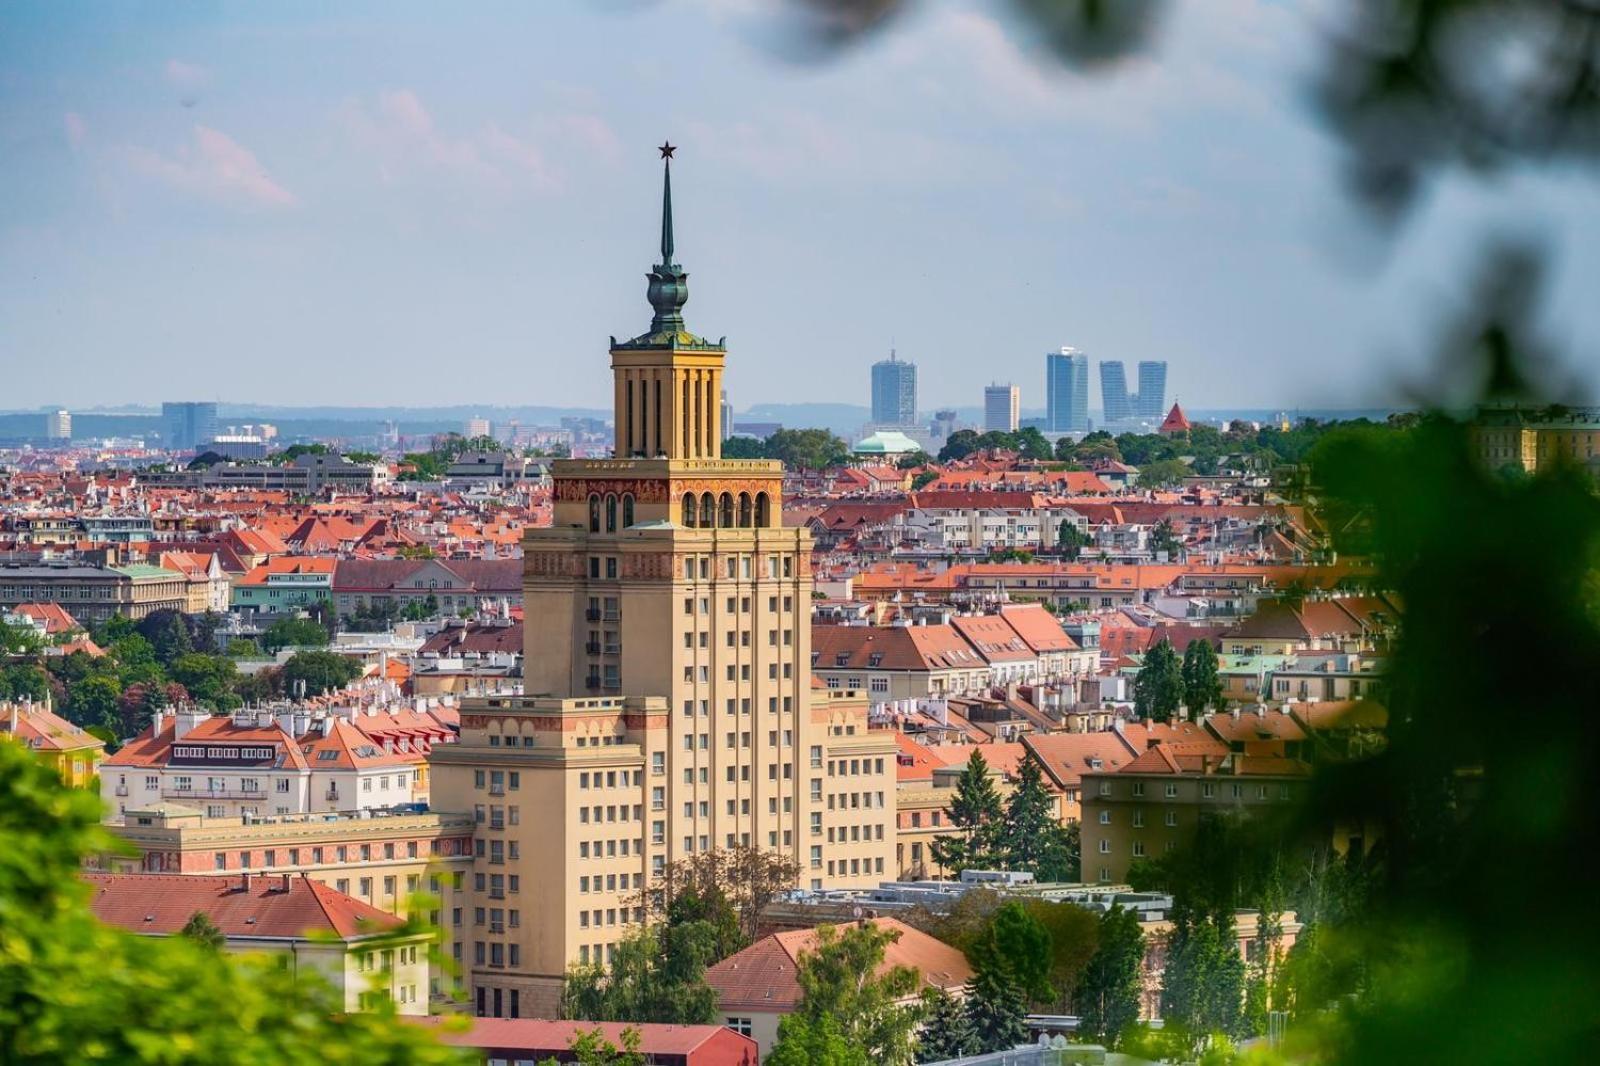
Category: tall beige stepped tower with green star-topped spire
[670,703]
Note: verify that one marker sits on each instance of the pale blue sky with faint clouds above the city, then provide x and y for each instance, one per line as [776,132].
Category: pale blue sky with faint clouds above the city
[426,204]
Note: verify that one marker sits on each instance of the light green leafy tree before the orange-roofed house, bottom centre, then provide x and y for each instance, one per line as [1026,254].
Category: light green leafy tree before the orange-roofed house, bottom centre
[842,979]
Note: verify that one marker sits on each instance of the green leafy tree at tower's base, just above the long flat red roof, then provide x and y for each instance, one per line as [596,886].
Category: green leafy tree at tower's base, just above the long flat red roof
[658,974]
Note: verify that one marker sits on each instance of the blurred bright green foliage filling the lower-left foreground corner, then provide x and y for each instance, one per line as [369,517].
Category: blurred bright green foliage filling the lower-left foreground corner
[78,992]
